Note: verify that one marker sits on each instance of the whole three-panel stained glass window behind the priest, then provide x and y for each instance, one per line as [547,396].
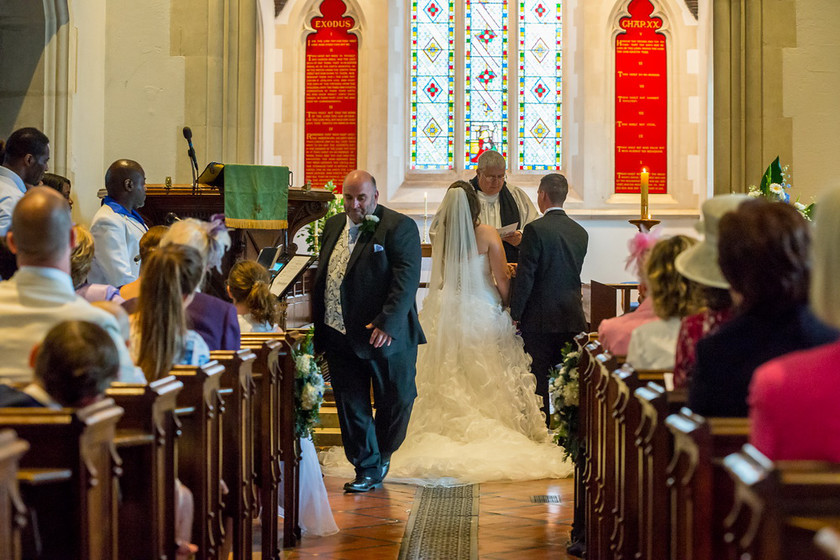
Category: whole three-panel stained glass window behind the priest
[479,83]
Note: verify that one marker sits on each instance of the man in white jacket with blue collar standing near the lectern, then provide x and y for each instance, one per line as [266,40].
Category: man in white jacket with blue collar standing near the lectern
[117,227]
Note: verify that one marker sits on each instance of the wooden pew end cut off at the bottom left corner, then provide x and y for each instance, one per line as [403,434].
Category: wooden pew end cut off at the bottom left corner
[12,511]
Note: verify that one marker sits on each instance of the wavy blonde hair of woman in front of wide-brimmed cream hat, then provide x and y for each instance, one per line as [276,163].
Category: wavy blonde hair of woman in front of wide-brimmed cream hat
[673,294]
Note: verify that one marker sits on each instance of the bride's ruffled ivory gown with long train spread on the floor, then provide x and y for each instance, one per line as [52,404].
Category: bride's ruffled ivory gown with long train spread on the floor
[477,417]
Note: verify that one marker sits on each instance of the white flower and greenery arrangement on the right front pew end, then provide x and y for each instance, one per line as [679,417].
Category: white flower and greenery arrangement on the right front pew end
[564,388]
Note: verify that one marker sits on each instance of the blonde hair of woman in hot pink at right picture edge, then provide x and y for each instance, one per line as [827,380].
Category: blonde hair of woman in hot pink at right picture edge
[826,258]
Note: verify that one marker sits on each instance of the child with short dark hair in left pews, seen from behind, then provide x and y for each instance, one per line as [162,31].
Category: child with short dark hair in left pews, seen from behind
[73,366]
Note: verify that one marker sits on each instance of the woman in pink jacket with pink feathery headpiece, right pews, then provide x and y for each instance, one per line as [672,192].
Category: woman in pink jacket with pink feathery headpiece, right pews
[614,333]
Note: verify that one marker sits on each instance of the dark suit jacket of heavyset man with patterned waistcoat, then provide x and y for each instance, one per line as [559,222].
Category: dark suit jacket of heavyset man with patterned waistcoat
[379,287]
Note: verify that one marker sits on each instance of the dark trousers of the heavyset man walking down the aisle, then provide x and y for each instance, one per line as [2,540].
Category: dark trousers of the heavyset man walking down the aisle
[369,440]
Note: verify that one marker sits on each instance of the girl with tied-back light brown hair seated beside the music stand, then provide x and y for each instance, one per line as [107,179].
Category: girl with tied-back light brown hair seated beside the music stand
[256,306]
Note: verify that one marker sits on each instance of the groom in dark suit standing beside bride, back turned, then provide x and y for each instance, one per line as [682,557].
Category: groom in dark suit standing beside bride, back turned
[546,299]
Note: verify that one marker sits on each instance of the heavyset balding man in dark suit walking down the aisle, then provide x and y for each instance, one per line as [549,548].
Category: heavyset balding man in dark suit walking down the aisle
[366,324]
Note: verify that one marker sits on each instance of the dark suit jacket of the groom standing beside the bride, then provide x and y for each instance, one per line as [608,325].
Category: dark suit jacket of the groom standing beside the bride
[546,293]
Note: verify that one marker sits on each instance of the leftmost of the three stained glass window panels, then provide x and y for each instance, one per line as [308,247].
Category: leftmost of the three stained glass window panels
[432,81]
